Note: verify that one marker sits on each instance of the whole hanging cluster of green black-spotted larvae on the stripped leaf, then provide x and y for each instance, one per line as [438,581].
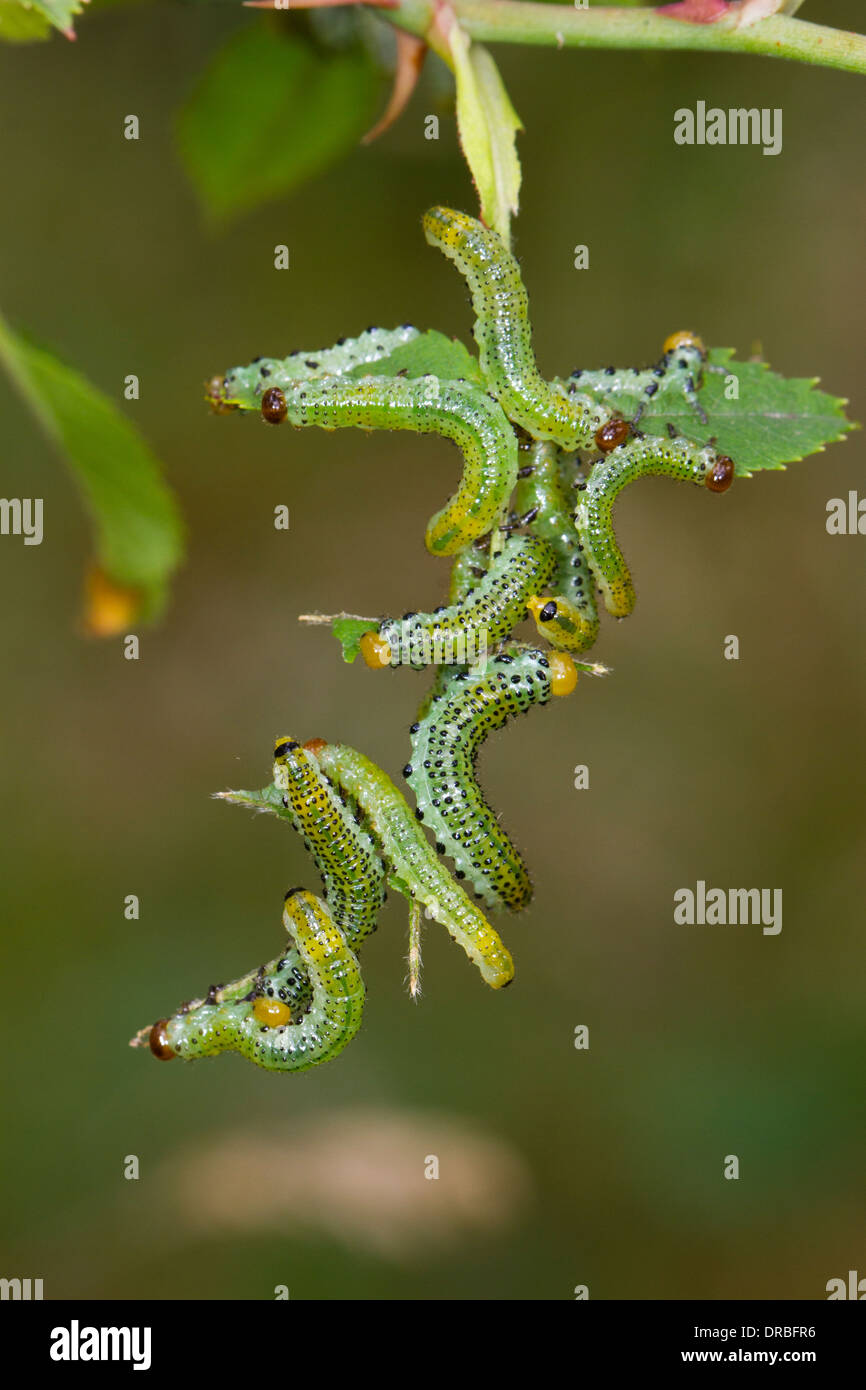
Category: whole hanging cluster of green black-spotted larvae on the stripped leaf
[530,533]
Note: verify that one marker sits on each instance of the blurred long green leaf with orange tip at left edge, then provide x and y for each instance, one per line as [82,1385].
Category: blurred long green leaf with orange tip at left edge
[138,526]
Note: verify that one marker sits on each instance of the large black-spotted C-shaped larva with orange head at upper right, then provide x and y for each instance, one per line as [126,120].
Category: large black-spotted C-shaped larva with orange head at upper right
[443,769]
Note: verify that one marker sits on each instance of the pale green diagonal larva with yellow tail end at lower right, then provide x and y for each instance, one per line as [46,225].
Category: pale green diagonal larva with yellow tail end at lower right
[412,865]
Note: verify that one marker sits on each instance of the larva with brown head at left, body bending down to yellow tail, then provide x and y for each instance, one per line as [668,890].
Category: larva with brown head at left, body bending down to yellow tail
[461,412]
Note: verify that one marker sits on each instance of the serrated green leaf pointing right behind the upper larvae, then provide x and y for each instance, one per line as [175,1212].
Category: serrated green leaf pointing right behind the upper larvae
[774,422]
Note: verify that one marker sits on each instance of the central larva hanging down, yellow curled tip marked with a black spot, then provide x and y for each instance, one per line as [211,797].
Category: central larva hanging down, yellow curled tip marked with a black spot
[566,615]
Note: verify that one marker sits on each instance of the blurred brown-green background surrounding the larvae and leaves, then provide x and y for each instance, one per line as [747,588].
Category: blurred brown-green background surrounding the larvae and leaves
[558,1167]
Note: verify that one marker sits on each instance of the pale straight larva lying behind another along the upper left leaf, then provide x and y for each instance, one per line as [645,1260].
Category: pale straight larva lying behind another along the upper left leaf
[244,387]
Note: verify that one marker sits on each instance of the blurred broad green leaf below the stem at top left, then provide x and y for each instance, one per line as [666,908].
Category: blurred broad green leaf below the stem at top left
[269,115]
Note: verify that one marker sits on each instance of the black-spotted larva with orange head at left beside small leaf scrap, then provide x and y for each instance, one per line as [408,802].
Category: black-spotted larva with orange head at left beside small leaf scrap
[465,632]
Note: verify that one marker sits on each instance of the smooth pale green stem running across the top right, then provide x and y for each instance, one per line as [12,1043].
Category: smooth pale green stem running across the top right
[610,27]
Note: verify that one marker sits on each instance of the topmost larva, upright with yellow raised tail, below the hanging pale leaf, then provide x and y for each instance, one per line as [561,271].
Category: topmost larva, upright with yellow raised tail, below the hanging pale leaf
[504,336]
